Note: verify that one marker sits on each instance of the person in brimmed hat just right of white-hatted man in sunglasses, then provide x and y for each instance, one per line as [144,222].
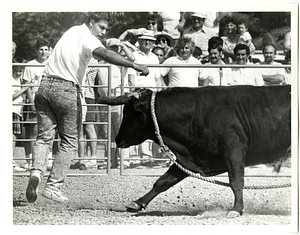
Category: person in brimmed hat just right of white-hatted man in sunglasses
[165,41]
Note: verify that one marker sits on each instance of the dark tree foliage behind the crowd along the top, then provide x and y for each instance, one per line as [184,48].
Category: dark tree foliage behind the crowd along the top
[27,27]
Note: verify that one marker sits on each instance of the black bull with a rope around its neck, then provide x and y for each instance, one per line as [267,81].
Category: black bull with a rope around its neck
[211,130]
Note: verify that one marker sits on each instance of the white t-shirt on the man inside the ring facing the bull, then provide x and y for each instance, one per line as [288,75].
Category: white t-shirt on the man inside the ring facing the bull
[72,53]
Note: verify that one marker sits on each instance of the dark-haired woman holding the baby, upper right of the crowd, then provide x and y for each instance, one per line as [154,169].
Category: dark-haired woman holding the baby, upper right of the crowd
[230,41]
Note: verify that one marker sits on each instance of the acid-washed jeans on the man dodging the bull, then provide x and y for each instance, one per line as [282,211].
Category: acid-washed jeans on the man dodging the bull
[58,106]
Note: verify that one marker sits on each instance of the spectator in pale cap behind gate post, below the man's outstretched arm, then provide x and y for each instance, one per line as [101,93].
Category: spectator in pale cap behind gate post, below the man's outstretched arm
[117,46]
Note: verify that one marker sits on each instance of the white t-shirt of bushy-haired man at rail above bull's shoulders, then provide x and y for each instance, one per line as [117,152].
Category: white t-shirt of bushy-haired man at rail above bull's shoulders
[184,77]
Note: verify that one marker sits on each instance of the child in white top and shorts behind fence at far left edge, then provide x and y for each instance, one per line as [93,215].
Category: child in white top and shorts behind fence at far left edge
[17,101]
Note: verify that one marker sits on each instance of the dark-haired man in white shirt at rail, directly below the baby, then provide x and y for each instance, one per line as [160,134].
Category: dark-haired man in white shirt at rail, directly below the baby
[244,76]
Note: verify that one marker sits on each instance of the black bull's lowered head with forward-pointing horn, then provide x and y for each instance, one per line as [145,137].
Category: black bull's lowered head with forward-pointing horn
[137,125]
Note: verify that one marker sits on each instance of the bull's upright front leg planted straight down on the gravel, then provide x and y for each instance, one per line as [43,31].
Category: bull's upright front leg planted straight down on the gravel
[235,160]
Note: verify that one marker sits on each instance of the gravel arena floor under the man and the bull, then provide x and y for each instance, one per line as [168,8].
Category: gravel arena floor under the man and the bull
[101,200]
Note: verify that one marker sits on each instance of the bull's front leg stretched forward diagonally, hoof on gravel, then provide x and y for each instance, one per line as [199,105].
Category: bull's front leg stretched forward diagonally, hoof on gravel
[173,176]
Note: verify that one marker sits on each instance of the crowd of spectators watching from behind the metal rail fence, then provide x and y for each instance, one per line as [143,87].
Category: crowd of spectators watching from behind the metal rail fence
[166,39]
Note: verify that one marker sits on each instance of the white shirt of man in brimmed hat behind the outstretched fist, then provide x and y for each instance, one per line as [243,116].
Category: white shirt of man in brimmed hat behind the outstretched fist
[149,80]
